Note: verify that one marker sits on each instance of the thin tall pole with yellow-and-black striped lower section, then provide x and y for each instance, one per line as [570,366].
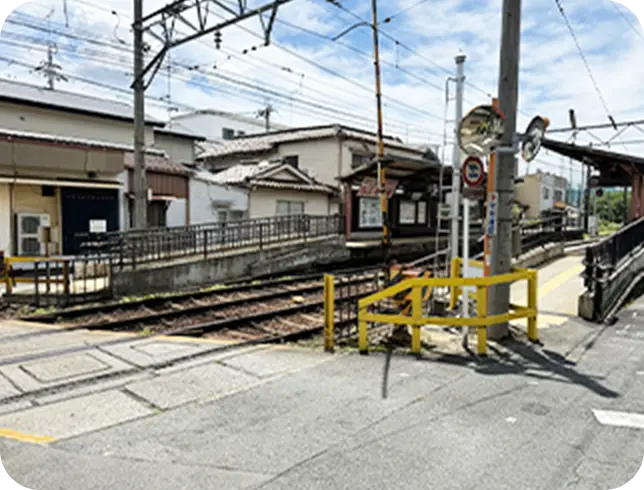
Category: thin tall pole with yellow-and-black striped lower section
[386,238]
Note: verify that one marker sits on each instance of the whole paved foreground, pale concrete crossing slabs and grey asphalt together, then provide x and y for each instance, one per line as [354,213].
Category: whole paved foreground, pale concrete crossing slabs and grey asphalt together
[283,417]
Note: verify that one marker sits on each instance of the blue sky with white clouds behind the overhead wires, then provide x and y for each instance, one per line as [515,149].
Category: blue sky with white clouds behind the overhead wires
[308,78]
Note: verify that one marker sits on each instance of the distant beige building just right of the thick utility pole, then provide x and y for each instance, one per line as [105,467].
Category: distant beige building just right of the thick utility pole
[541,192]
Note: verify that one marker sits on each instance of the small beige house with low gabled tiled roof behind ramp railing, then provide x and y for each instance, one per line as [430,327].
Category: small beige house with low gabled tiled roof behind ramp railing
[279,189]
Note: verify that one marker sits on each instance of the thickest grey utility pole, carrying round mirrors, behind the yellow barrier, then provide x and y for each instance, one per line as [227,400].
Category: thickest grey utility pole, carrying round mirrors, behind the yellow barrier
[508,90]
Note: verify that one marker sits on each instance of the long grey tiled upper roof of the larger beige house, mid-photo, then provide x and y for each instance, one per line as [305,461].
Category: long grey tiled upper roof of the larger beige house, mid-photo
[266,142]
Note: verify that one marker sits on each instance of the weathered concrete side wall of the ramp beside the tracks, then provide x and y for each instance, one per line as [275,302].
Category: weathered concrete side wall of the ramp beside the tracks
[194,274]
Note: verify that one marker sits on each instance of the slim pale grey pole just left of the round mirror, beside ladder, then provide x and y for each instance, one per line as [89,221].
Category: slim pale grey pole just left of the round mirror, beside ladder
[456,156]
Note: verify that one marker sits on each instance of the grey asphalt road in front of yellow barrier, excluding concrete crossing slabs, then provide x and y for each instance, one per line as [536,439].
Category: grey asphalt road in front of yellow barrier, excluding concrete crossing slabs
[524,419]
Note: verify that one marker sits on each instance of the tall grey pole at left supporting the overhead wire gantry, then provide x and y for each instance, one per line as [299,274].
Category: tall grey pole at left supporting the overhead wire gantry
[140,181]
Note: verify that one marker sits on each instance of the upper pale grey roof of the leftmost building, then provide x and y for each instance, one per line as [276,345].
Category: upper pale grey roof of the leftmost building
[18,92]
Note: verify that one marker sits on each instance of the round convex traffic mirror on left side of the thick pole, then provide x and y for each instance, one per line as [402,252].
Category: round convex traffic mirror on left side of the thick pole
[481,130]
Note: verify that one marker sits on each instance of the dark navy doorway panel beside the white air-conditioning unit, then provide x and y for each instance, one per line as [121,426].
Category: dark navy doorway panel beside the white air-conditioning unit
[79,207]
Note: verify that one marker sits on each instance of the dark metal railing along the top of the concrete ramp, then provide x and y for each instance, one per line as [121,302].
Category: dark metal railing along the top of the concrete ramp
[134,247]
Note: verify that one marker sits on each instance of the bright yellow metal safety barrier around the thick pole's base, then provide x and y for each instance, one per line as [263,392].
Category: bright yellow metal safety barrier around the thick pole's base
[456,284]
